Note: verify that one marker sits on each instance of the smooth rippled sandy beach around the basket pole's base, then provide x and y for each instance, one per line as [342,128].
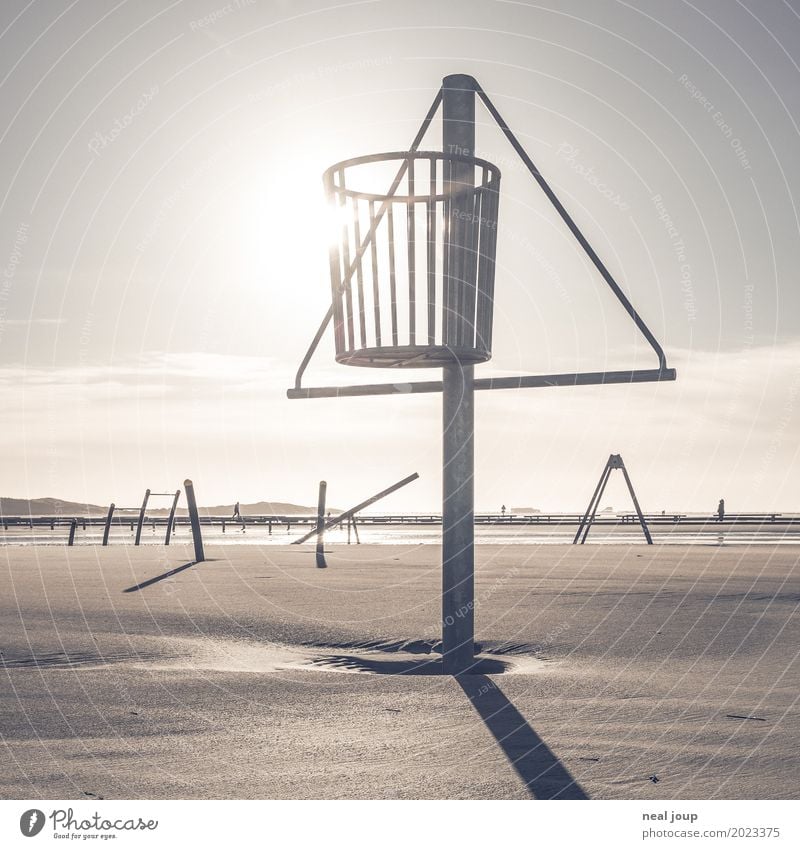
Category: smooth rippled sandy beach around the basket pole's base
[608,672]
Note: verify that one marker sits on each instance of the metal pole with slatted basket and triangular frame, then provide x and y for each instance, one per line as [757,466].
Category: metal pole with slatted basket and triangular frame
[412,279]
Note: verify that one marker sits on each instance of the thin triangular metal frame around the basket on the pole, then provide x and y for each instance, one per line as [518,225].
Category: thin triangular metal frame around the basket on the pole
[663,372]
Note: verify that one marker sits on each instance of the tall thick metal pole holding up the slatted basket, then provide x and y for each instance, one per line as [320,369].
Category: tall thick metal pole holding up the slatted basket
[458,498]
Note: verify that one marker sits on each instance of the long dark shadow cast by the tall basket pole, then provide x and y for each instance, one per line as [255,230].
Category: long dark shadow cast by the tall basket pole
[543,773]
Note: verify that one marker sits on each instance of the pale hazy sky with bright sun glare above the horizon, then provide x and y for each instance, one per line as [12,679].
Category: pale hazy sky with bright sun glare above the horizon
[165,262]
